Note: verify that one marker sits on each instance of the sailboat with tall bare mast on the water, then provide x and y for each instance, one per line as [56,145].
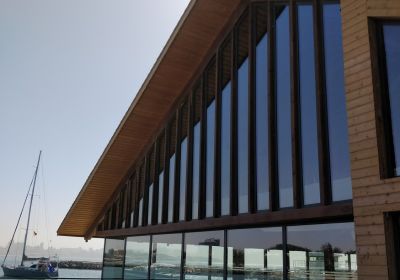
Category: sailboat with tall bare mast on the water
[44,268]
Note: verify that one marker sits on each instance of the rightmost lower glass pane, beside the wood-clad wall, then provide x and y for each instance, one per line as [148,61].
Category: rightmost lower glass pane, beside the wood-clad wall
[322,251]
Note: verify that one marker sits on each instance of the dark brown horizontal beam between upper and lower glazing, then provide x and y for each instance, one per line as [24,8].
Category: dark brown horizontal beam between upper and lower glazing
[329,213]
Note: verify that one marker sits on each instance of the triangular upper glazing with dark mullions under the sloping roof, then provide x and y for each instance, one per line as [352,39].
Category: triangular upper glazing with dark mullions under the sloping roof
[254,134]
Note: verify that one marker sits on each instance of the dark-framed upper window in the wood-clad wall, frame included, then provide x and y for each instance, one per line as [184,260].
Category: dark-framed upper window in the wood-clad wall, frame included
[387,85]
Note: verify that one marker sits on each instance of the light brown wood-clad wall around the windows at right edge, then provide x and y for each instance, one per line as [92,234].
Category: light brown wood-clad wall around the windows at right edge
[371,195]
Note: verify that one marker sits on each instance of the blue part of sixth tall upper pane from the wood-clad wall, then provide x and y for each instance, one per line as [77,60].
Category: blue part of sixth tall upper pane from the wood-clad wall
[226,149]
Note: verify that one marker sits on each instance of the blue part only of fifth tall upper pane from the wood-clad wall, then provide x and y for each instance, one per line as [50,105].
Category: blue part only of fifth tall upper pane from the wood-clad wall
[243,141]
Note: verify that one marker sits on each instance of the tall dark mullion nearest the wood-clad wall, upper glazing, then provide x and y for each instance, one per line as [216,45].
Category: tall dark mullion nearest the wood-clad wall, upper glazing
[322,123]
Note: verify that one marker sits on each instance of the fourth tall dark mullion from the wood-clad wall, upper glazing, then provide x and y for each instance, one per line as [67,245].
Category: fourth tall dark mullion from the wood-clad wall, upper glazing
[252,197]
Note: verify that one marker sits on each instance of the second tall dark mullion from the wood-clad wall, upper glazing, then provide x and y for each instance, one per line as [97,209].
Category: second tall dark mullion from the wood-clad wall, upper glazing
[296,146]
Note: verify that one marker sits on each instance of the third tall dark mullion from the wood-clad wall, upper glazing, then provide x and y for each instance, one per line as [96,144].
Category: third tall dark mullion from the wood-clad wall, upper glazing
[273,156]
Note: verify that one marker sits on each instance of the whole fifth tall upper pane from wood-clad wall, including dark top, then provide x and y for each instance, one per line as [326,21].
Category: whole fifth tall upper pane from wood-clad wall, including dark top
[243,117]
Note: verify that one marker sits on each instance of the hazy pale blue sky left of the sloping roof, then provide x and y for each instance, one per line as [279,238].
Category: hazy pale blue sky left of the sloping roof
[69,70]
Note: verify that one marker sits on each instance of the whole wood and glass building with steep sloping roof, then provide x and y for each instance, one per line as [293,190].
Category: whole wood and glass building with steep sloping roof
[264,143]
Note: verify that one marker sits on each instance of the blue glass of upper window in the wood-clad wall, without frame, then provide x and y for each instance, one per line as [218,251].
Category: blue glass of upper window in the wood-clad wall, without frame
[391,33]
